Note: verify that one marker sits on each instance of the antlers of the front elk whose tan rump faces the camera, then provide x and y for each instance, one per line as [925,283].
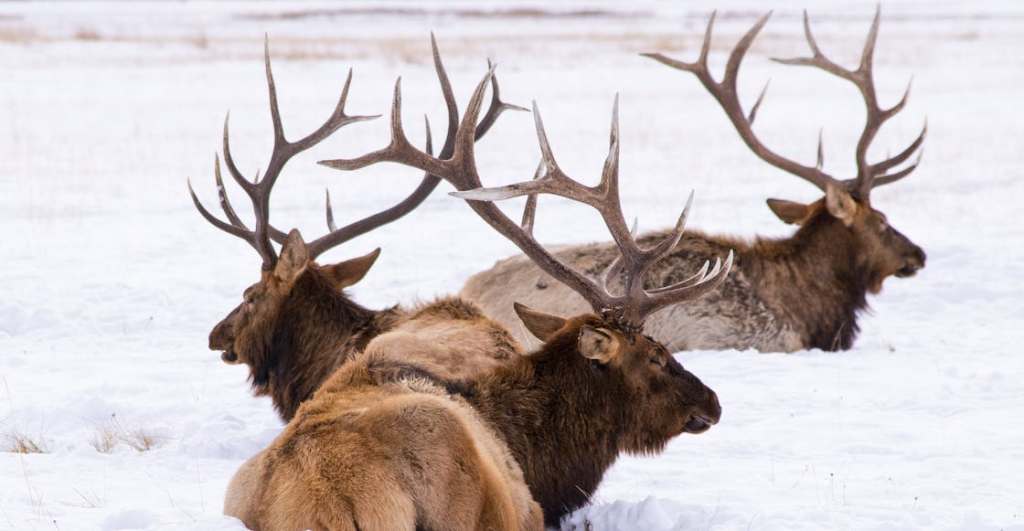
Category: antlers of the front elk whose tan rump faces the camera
[629,309]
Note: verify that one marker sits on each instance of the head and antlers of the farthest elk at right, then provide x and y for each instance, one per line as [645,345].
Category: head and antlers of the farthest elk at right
[846,211]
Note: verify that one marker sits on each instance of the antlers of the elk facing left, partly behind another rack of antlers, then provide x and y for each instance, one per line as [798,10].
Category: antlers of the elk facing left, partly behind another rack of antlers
[260,192]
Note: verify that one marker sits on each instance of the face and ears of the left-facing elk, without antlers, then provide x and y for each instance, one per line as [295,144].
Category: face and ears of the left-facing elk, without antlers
[245,335]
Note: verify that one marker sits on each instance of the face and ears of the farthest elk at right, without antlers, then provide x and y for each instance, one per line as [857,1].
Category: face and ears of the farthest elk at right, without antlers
[880,249]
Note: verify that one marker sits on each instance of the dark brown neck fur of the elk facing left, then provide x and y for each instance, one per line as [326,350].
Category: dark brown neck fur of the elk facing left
[317,331]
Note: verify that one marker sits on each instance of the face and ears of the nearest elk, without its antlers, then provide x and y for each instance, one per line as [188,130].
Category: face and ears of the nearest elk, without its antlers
[661,399]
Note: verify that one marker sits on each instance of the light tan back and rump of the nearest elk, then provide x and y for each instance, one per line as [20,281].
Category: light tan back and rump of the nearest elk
[375,452]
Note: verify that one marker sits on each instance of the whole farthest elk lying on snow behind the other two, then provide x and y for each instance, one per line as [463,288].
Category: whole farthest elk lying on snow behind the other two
[791,294]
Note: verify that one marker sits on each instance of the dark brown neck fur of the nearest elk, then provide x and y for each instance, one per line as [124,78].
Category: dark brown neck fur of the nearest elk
[559,415]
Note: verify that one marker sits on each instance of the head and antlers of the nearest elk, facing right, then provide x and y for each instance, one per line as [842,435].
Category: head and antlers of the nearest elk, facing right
[659,395]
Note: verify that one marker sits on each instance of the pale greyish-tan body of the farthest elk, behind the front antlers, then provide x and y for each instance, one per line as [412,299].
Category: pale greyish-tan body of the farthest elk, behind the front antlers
[736,317]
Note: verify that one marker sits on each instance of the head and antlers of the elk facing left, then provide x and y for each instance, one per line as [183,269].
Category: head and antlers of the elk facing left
[294,292]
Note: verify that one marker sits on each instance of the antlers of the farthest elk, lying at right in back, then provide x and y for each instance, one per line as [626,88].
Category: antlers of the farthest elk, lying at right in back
[869,175]
